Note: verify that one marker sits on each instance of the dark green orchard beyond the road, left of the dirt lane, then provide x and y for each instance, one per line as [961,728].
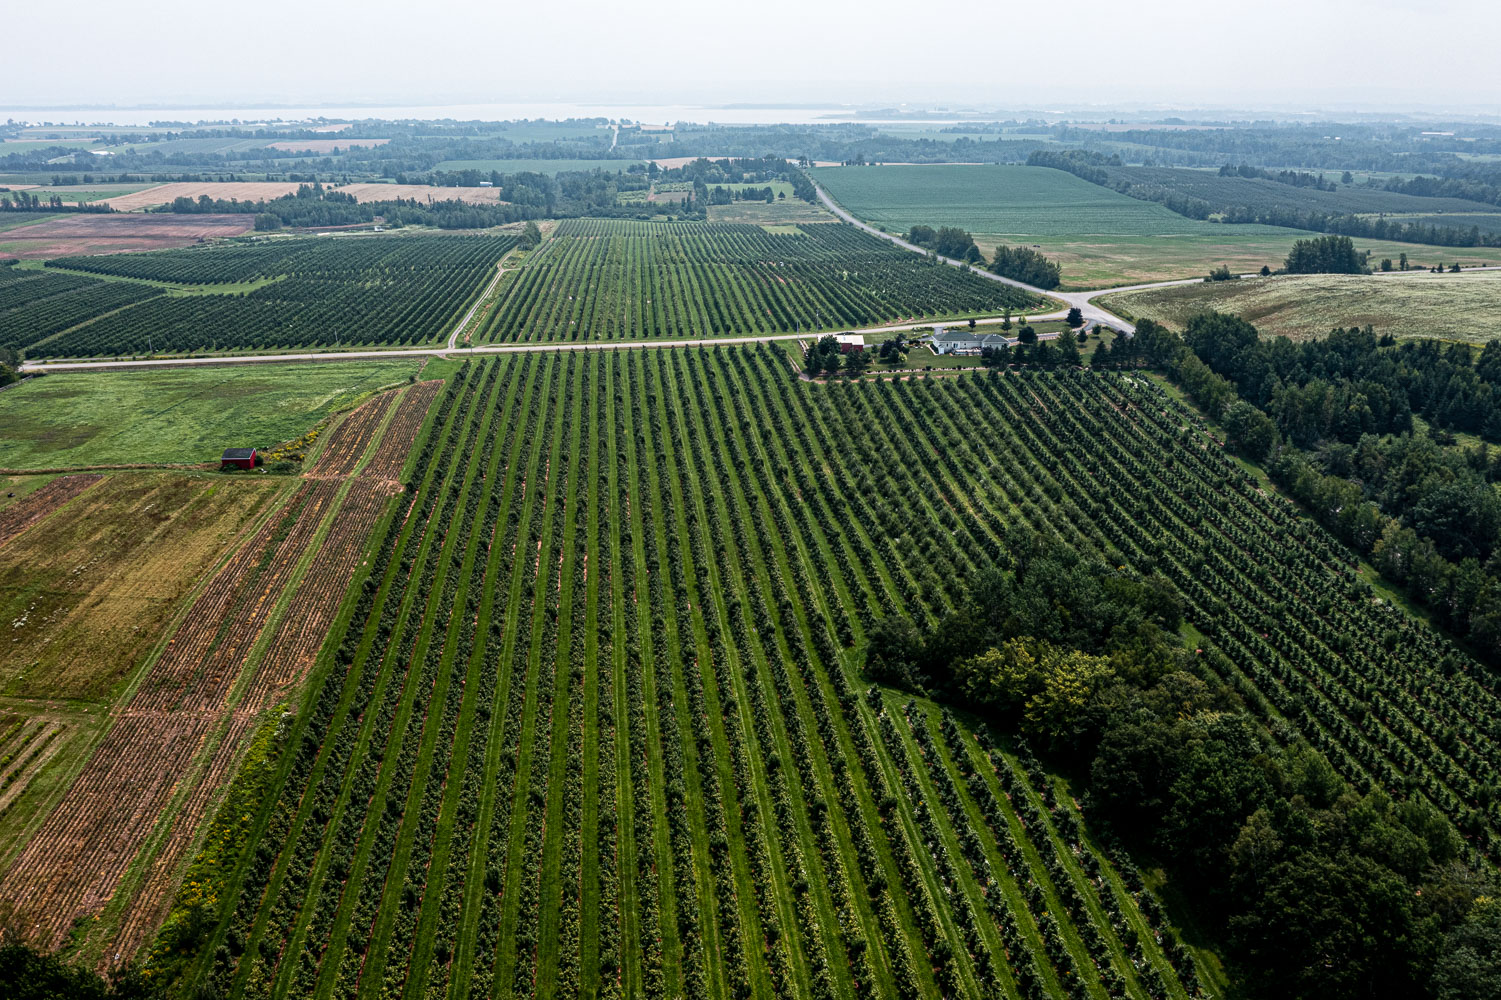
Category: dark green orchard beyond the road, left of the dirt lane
[328,292]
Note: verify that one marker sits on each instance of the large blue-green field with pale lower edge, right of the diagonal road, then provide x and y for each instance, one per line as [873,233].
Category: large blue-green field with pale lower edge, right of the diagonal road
[1099,236]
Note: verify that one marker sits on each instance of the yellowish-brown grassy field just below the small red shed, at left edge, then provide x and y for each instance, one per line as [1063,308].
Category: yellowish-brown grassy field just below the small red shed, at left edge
[91,589]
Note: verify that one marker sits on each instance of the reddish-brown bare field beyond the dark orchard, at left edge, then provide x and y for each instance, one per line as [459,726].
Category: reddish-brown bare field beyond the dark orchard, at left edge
[118,233]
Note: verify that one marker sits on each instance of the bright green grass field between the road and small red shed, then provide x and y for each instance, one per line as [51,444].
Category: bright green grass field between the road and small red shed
[187,415]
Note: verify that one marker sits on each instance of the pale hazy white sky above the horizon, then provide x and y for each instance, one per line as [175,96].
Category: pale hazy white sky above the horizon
[1000,53]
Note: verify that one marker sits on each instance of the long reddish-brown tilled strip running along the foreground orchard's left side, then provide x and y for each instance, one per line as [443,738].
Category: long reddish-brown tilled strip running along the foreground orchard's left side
[179,738]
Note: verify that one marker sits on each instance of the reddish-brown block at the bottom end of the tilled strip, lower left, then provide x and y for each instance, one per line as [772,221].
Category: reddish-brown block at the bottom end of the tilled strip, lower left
[74,863]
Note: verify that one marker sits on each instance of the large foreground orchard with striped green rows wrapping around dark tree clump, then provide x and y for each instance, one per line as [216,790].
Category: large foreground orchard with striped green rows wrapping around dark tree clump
[597,724]
